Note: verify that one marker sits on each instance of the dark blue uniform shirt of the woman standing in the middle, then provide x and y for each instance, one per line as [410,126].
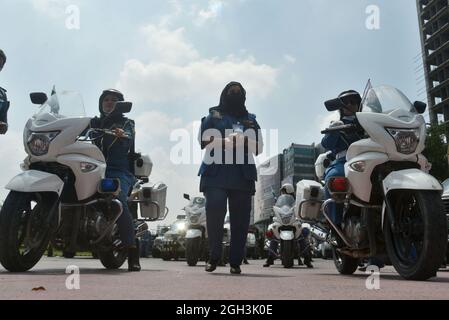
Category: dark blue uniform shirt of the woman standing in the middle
[230,176]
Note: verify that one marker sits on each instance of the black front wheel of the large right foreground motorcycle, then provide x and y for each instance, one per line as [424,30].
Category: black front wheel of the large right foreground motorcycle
[418,244]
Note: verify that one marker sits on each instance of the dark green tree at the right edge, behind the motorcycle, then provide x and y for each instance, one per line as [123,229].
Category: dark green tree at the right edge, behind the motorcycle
[436,150]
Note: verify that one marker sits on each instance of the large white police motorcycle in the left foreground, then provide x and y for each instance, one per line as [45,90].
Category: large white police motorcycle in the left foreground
[62,192]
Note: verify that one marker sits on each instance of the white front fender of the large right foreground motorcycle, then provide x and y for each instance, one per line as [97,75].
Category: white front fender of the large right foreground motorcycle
[410,179]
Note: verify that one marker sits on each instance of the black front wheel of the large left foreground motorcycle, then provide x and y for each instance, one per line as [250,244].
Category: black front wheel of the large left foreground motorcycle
[24,231]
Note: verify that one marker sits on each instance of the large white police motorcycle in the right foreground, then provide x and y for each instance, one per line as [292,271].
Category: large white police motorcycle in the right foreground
[391,204]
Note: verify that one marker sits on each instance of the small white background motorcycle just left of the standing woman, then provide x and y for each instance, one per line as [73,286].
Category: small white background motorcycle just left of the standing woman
[196,235]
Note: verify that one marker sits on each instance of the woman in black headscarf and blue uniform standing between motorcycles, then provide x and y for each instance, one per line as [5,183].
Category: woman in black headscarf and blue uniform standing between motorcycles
[231,136]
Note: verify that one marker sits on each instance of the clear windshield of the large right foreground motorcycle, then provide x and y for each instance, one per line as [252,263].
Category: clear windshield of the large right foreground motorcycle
[386,99]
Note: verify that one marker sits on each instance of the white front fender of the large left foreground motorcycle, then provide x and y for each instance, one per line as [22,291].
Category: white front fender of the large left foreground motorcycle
[32,181]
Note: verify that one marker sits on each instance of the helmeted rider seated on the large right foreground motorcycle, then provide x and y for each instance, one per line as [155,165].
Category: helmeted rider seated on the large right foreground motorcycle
[338,143]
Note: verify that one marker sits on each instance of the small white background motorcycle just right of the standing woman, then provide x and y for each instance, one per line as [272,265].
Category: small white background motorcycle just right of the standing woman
[286,229]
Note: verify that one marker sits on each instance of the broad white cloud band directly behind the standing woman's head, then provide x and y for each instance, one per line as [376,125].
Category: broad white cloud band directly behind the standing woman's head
[199,83]
